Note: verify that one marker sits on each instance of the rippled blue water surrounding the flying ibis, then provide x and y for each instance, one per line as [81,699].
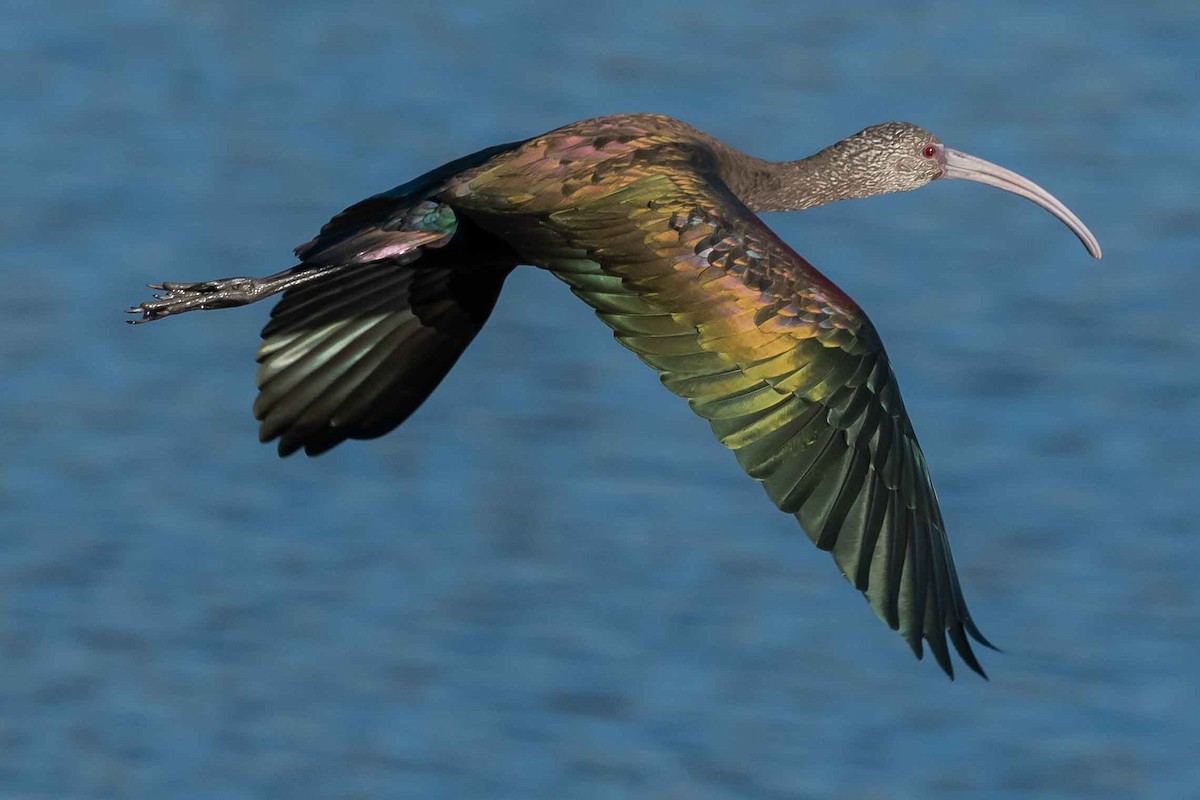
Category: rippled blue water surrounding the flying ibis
[551,582]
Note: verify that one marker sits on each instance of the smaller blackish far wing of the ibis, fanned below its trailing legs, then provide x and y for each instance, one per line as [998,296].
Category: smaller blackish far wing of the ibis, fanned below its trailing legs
[353,356]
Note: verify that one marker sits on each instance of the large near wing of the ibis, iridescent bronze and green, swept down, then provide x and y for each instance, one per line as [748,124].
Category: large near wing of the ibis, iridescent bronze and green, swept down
[788,370]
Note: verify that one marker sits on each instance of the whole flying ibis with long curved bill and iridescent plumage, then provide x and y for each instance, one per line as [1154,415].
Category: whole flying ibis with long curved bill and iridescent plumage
[653,224]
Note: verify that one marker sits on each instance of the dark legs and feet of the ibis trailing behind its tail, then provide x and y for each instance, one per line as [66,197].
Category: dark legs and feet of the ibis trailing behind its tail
[225,293]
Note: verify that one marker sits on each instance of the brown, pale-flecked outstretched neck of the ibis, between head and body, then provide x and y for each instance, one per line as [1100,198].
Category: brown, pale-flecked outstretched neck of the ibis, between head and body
[823,178]
